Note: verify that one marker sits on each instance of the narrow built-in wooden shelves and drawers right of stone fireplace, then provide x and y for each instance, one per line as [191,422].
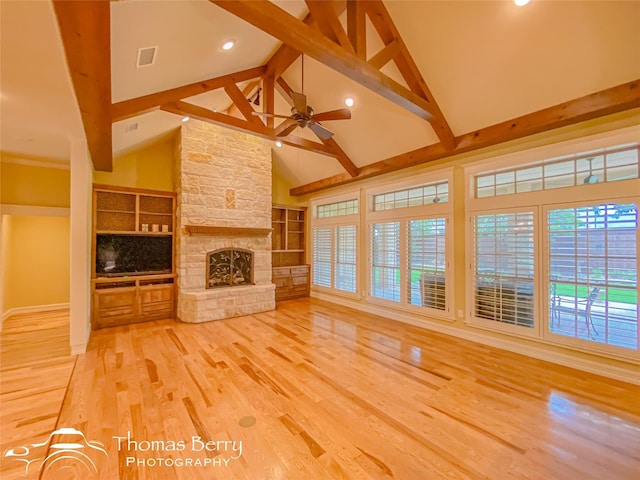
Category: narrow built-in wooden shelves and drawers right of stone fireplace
[290,273]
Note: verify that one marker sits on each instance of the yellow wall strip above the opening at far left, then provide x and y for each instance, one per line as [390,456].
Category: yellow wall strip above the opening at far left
[34,185]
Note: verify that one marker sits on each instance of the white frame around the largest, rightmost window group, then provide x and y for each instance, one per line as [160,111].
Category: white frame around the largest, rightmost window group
[621,191]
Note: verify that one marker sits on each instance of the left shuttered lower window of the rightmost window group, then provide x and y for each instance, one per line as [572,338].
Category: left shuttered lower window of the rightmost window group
[504,268]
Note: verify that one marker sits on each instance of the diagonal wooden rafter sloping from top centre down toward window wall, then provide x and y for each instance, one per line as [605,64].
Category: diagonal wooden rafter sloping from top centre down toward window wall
[383,23]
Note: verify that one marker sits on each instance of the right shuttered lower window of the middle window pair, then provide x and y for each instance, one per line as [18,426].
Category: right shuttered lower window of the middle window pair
[427,262]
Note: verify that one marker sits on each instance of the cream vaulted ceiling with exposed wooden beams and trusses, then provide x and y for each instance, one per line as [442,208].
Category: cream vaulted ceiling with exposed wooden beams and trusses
[430,78]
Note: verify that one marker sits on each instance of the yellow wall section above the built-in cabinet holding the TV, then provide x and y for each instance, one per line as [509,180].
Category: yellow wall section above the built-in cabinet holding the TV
[151,167]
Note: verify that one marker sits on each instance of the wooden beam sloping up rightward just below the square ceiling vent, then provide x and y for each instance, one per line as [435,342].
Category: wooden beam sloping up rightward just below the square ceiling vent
[149,103]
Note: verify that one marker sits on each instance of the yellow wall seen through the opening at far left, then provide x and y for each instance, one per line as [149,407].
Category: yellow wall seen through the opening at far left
[35,261]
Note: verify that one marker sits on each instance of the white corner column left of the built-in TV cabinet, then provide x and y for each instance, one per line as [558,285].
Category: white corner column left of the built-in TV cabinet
[80,247]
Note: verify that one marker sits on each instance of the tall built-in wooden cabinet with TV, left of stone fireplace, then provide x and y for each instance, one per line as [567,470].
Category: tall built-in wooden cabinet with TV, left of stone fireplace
[133,252]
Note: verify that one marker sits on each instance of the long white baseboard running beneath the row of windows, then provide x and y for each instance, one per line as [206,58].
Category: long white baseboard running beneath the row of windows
[624,374]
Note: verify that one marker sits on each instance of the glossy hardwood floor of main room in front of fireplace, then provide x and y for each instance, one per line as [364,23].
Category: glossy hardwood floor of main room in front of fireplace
[317,391]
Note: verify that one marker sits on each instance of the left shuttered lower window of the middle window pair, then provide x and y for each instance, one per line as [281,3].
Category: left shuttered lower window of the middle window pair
[385,261]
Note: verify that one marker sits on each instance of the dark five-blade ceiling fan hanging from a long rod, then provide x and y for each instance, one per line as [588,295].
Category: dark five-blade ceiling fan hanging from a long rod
[302,115]
